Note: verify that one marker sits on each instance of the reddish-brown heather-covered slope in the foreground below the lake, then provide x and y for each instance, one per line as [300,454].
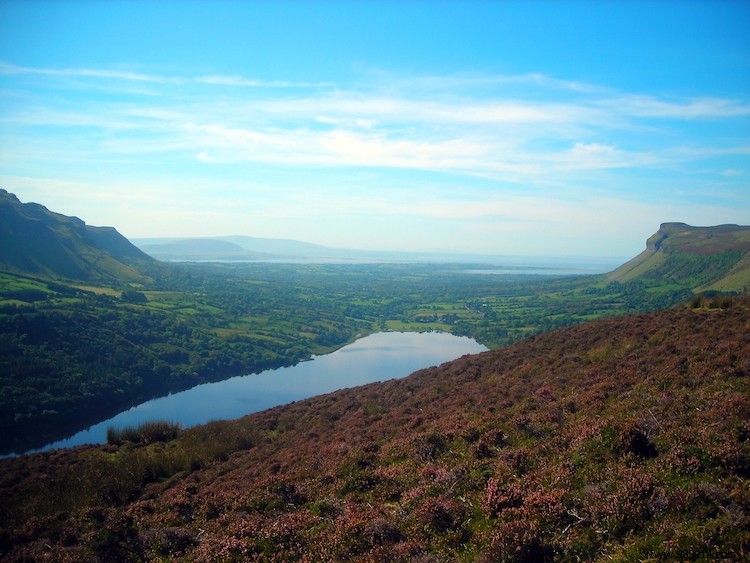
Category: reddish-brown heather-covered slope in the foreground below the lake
[621,439]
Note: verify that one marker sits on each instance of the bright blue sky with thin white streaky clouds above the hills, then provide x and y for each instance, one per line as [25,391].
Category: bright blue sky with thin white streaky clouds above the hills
[509,128]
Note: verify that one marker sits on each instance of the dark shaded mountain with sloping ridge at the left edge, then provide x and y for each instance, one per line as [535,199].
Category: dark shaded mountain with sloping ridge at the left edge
[37,241]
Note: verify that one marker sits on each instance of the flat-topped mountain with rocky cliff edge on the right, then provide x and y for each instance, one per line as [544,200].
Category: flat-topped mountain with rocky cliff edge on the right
[701,258]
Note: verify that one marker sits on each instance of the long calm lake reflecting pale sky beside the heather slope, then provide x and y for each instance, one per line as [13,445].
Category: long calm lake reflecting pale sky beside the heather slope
[378,357]
